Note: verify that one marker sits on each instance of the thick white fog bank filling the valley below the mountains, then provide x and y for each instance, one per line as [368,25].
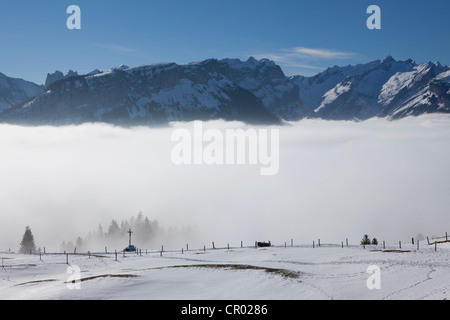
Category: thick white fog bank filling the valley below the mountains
[336,180]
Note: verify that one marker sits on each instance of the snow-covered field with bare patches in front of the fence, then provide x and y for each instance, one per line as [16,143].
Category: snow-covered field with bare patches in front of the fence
[273,273]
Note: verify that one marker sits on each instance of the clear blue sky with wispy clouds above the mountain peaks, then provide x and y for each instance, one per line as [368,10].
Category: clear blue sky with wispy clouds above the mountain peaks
[304,37]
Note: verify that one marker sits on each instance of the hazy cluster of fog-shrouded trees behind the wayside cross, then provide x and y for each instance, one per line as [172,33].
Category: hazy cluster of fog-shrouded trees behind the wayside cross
[147,234]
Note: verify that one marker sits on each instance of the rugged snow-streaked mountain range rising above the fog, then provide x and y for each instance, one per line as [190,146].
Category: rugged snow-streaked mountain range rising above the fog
[252,91]
